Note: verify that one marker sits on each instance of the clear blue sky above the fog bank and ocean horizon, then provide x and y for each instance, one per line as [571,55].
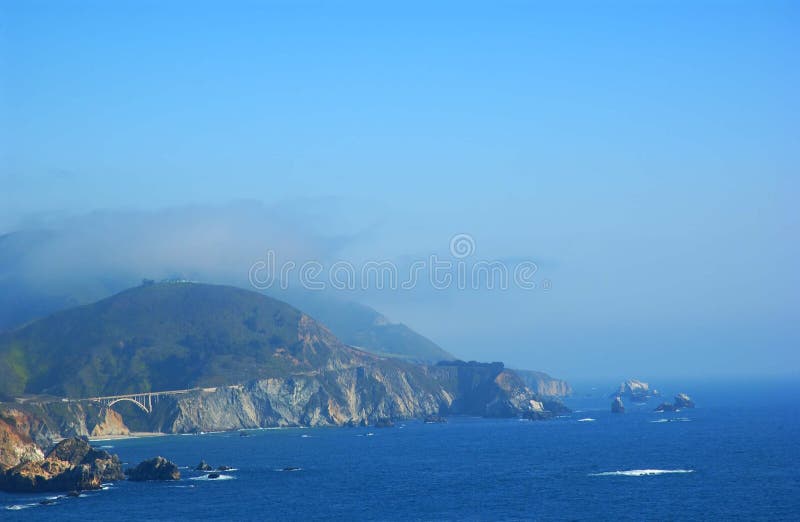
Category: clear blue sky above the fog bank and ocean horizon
[644,153]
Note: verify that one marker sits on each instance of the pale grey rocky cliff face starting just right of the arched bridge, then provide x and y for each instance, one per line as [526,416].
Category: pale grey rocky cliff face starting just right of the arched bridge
[359,395]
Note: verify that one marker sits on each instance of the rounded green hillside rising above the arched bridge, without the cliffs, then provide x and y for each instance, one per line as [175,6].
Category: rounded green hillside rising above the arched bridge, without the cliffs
[161,337]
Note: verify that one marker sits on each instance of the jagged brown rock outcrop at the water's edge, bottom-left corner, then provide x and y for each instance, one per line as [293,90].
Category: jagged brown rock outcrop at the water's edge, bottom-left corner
[72,465]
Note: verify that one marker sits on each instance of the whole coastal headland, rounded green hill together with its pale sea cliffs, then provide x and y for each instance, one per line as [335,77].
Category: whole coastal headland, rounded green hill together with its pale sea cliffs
[257,361]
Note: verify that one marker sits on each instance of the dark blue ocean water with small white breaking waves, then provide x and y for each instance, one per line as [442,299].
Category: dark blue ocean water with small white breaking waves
[736,456]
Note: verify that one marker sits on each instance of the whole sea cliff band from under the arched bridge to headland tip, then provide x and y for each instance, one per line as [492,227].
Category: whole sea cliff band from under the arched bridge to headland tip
[364,389]
